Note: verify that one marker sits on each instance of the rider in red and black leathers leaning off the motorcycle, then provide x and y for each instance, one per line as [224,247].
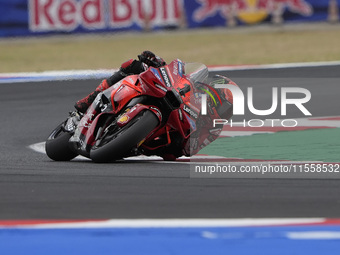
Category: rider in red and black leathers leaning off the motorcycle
[205,132]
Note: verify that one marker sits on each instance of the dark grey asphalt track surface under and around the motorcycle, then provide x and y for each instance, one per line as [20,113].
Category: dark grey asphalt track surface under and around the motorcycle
[34,187]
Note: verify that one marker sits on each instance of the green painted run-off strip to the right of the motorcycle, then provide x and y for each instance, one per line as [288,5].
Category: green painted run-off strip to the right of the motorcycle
[308,145]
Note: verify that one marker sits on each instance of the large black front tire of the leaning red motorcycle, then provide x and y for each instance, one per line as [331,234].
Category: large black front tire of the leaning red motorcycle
[125,139]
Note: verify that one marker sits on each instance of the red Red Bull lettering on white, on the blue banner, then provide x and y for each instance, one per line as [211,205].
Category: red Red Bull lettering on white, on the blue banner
[68,15]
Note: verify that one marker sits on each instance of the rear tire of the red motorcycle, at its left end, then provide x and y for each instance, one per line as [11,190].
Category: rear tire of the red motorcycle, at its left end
[57,145]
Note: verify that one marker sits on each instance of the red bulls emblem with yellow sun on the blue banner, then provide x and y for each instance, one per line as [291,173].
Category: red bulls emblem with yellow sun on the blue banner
[250,11]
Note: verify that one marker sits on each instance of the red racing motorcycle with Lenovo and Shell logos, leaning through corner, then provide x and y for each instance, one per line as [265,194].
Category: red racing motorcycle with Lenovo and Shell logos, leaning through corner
[153,113]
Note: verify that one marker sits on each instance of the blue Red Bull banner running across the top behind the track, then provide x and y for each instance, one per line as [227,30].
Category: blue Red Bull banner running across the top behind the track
[40,17]
